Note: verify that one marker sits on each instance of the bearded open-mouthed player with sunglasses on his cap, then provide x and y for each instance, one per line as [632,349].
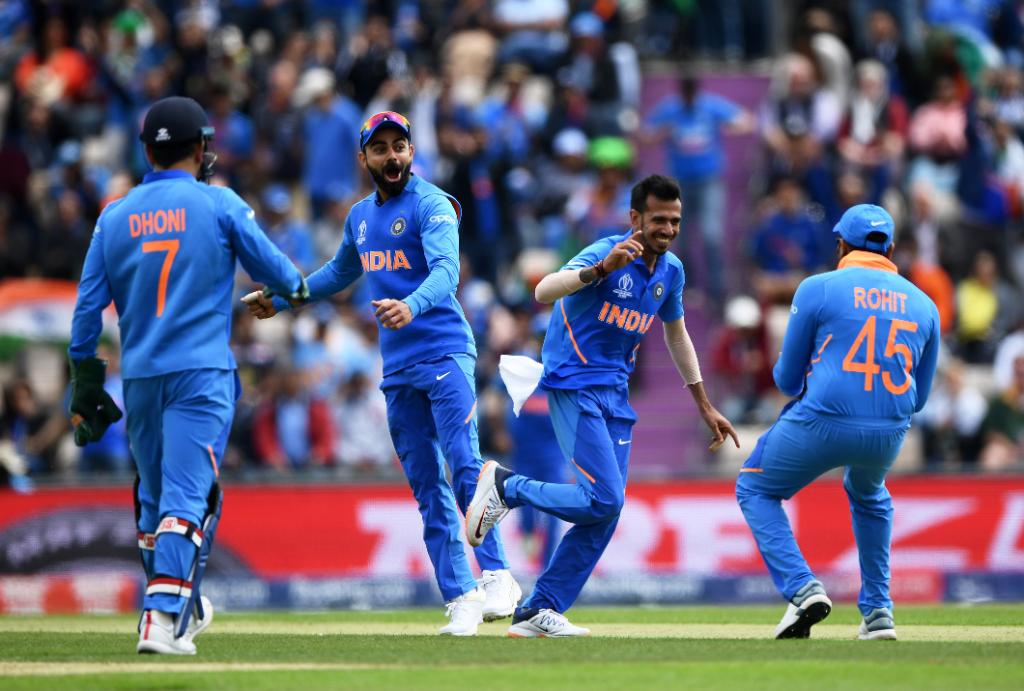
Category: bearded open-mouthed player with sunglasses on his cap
[405,238]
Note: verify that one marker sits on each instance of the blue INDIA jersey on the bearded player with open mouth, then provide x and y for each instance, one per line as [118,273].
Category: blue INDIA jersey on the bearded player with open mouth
[408,246]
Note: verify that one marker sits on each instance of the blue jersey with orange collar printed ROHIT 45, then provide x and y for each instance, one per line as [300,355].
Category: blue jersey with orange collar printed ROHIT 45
[862,344]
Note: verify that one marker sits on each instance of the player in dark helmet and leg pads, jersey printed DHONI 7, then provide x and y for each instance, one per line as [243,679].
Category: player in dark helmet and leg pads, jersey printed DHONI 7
[166,254]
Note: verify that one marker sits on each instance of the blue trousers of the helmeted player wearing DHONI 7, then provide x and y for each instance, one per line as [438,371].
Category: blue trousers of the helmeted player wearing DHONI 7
[178,428]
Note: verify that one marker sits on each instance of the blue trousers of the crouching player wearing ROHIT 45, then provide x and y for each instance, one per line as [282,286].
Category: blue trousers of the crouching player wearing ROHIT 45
[791,455]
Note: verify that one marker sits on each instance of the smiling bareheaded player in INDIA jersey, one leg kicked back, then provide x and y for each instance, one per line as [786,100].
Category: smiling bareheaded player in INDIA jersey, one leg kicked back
[606,300]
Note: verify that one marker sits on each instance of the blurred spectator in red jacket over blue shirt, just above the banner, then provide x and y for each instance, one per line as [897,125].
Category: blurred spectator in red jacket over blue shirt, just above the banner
[293,429]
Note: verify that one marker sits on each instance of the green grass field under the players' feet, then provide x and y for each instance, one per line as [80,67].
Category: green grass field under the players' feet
[948,647]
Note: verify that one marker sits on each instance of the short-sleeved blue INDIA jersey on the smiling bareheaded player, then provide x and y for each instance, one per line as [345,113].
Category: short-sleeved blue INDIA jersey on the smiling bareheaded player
[594,334]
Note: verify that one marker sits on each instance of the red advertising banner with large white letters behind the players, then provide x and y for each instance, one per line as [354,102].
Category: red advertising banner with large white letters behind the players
[273,532]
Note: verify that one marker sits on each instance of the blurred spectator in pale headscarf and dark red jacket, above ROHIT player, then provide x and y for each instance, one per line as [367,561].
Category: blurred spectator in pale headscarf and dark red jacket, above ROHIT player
[873,138]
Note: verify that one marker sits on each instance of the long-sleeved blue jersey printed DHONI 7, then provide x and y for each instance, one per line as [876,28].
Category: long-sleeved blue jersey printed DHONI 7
[165,254]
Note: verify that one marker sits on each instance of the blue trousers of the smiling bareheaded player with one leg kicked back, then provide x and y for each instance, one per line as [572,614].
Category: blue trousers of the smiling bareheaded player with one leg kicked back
[594,428]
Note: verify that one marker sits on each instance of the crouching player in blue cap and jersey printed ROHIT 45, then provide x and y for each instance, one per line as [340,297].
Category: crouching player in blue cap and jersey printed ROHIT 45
[860,355]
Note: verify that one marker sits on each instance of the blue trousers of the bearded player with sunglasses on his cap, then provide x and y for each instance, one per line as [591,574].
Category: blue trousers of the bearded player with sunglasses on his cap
[432,413]
